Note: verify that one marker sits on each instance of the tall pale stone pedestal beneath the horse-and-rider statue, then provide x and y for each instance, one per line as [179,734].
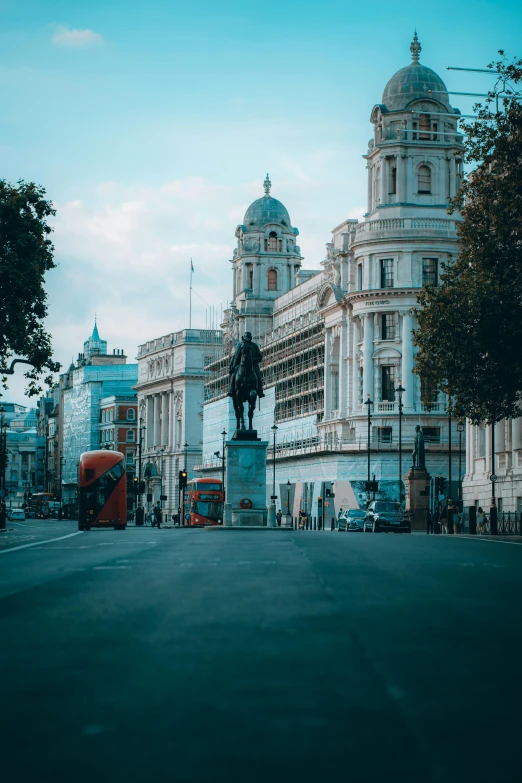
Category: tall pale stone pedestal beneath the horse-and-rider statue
[245,482]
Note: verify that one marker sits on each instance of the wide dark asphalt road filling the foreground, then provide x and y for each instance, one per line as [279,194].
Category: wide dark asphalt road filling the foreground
[195,655]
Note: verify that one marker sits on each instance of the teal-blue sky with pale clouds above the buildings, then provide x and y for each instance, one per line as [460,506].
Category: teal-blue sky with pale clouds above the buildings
[152,126]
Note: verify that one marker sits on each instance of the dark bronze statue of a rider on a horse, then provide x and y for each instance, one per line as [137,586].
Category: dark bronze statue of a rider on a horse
[246,384]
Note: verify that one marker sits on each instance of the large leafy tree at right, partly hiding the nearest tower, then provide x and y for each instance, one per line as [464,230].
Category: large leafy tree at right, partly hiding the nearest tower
[470,327]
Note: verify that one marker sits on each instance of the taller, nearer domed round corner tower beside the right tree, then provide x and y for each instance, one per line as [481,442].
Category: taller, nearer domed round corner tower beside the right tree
[414,166]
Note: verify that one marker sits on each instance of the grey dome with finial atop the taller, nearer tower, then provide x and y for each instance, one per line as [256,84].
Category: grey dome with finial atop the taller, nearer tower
[413,83]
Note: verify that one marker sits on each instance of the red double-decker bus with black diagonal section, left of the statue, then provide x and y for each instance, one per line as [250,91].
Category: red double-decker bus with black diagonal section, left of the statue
[102,500]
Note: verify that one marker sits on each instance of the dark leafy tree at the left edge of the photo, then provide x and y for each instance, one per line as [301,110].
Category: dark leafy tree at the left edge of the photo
[26,254]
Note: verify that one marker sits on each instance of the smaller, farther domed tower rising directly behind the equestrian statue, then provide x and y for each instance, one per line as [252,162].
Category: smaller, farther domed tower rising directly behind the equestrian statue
[265,261]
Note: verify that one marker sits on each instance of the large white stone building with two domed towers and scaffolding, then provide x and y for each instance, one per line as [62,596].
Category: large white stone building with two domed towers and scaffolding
[332,339]
